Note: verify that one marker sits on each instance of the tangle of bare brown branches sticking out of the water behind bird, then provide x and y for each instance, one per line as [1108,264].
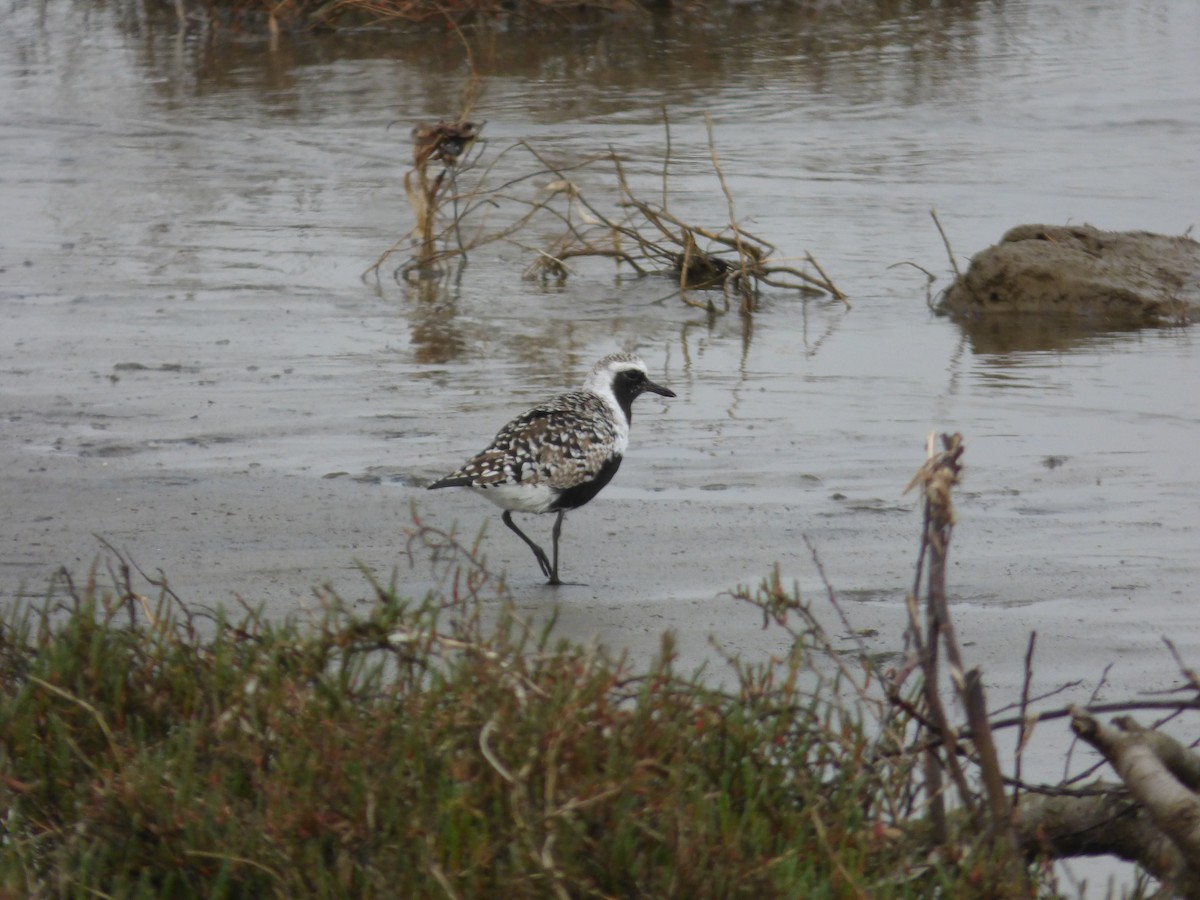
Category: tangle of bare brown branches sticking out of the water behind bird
[647,237]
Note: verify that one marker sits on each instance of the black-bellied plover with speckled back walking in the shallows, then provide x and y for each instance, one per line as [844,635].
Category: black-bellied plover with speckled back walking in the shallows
[560,454]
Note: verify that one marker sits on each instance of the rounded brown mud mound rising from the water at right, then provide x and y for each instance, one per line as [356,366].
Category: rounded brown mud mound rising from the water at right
[1081,273]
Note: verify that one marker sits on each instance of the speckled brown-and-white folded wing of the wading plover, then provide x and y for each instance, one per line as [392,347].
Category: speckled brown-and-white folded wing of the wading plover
[561,445]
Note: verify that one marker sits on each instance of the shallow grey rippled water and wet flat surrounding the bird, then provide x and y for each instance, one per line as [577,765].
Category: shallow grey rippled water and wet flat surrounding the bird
[189,349]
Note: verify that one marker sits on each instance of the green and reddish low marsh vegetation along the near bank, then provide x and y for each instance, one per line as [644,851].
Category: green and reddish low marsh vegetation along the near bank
[440,747]
